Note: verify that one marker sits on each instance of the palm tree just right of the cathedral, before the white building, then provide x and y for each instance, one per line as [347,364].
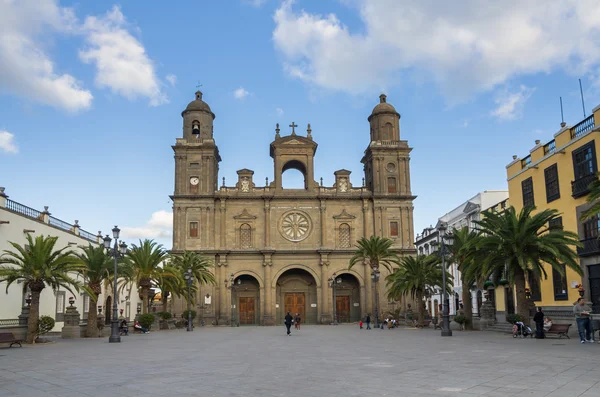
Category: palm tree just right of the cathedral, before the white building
[417,276]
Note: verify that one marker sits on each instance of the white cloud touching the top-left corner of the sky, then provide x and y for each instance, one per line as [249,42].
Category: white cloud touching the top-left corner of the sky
[26,68]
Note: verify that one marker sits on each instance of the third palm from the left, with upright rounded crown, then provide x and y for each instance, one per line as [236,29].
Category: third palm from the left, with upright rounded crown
[143,267]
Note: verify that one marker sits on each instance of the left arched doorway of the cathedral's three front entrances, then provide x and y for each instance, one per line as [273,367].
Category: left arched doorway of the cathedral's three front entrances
[247,300]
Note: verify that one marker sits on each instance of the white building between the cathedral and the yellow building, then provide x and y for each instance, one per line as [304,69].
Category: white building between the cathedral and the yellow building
[464,215]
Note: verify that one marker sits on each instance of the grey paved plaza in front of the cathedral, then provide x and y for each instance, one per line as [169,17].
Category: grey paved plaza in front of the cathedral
[315,361]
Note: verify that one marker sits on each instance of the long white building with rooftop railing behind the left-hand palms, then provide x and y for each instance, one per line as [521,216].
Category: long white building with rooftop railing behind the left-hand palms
[18,220]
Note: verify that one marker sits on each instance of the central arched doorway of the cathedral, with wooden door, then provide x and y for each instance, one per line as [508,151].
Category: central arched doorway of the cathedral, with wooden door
[296,292]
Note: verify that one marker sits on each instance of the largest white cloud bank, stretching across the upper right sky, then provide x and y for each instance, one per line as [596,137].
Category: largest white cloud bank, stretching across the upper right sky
[472,47]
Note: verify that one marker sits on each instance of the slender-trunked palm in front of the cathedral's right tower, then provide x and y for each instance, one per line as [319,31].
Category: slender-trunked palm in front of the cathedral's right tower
[375,251]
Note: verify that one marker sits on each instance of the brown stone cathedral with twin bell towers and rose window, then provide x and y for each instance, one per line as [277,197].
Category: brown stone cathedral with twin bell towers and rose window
[277,250]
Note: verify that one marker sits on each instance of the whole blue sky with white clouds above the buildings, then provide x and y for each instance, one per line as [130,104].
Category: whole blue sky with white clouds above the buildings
[91,93]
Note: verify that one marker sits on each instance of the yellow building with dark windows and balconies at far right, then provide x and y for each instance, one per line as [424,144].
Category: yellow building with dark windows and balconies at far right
[557,174]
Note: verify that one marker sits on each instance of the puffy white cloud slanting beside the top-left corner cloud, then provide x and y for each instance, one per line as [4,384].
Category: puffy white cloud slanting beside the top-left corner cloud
[120,59]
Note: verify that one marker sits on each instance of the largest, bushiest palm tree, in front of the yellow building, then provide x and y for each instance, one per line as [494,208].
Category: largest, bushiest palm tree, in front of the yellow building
[520,244]
